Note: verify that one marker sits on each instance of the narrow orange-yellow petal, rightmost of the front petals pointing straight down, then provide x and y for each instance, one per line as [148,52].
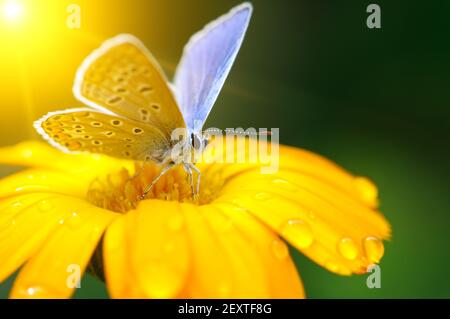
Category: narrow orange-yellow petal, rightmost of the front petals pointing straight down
[273,255]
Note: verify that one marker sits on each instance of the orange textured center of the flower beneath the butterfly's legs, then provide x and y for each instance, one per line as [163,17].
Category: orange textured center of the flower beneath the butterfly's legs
[120,191]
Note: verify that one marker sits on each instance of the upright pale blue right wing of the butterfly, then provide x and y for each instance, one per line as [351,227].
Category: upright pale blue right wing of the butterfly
[206,62]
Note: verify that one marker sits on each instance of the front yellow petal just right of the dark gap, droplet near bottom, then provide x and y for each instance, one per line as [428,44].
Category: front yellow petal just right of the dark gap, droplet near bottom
[155,247]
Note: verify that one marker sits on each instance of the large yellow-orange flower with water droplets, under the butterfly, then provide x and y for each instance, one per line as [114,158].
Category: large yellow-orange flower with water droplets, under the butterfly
[63,209]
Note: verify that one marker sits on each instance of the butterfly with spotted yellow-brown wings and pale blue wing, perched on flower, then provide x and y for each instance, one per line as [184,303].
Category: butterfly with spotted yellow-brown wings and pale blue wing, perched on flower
[133,109]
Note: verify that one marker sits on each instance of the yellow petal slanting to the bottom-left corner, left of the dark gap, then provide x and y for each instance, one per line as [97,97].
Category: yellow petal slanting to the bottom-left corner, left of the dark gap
[53,270]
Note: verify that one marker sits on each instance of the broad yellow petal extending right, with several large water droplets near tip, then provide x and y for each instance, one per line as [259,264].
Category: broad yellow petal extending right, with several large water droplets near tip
[327,224]
